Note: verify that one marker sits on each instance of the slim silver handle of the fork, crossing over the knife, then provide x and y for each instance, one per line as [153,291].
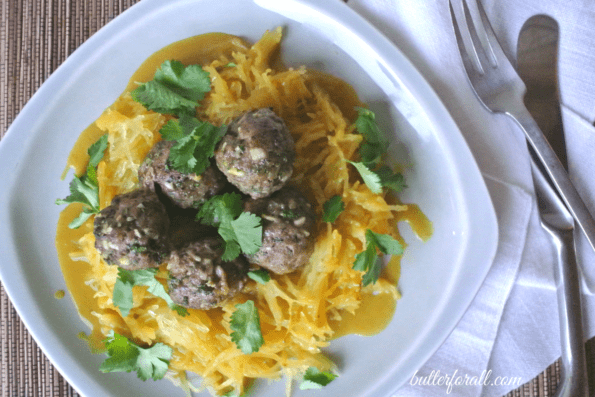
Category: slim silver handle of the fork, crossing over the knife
[556,172]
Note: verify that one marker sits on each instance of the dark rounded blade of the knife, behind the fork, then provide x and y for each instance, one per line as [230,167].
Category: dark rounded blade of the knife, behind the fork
[537,60]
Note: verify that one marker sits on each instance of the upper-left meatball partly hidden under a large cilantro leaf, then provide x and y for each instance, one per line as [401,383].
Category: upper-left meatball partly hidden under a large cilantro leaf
[184,190]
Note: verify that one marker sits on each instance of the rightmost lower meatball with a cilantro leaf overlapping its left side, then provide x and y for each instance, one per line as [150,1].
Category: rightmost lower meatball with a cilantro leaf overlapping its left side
[288,222]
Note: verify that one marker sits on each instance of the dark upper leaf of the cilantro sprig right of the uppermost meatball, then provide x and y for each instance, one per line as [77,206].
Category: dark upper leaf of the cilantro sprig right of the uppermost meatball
[375,142]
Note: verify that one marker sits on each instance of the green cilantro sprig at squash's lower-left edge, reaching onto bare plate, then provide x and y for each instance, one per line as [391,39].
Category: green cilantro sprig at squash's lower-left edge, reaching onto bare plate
[126,356]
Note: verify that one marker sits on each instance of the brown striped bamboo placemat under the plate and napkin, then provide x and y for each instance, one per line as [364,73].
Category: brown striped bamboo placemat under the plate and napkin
[36,36]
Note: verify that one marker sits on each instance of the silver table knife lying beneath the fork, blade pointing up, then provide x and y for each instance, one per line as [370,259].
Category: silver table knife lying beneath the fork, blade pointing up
[536,65]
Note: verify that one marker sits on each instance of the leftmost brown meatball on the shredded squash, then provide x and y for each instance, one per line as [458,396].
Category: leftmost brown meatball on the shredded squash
[132,231]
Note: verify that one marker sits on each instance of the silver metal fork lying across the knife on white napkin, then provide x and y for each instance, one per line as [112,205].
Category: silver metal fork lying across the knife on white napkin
[501,90]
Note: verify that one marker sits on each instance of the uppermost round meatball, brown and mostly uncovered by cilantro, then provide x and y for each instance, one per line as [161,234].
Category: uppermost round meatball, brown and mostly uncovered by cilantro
[256,155]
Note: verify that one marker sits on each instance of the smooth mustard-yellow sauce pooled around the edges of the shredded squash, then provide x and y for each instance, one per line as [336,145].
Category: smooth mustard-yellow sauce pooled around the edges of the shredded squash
[376,311]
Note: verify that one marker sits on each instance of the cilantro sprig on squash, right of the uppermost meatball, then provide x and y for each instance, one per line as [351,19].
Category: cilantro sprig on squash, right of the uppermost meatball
[371,151]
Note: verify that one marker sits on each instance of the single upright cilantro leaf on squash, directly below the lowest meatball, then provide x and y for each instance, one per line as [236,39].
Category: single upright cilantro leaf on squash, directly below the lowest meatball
[245,322]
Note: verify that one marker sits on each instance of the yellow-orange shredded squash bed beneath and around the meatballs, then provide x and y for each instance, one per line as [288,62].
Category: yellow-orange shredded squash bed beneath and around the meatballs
[296,310]
